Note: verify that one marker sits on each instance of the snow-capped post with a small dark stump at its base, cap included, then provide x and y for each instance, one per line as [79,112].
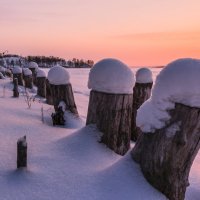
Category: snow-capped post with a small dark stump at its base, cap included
[61,88]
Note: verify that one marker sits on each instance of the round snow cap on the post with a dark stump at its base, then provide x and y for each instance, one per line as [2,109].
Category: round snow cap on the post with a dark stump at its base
[58,75]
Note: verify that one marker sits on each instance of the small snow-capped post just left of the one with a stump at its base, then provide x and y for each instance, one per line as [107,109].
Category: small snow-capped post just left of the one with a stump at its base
[41,83]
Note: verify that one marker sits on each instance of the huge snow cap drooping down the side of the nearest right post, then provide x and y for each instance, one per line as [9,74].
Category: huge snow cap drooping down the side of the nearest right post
[178,82]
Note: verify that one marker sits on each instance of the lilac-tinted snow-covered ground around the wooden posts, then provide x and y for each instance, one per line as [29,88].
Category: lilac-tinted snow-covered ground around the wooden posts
[68,163]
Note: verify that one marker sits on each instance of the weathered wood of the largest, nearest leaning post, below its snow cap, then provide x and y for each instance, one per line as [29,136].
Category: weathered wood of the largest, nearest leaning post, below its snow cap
[166,155]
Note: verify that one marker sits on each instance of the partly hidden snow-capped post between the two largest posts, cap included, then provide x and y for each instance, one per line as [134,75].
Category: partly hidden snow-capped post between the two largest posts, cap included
[141,92]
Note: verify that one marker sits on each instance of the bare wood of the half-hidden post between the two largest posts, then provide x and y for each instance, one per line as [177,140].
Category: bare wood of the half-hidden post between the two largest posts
[141,92]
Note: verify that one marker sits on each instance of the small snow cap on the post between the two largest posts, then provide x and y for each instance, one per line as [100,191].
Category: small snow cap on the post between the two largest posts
[144,75]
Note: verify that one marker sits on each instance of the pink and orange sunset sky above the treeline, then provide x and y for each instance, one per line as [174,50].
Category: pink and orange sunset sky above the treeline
[137,32]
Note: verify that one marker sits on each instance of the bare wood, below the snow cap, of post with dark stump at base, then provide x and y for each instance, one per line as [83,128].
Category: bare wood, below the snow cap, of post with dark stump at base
[63,93]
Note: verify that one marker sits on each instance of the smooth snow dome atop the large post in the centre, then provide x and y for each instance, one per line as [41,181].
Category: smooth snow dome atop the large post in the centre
[111,76]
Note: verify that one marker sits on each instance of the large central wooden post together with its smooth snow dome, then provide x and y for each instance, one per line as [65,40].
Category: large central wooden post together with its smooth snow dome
[110,104]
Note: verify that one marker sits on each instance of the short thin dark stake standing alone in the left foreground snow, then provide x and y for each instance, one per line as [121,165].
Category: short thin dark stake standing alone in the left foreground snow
[22,152]
